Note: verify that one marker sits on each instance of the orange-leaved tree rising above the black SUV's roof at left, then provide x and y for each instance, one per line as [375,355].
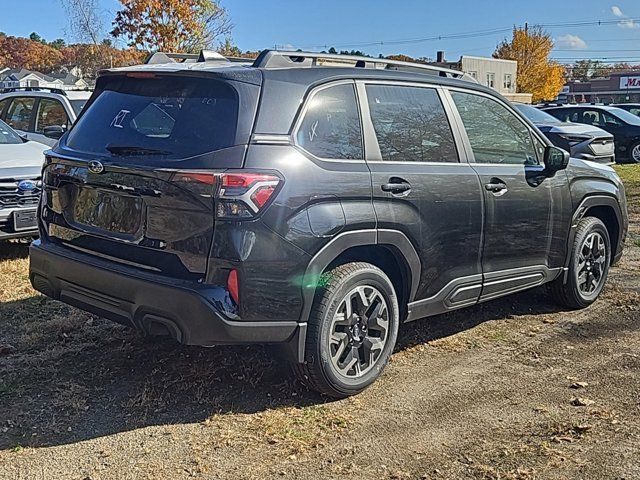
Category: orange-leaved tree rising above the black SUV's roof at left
[171,25]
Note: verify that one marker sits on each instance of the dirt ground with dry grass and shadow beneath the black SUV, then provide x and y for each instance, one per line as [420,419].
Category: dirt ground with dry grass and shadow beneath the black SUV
[511,389]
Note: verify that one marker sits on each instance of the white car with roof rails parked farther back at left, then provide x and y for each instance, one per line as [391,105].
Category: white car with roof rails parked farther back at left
[41,114]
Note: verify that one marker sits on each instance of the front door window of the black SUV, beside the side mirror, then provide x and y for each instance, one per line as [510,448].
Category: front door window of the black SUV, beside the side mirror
[496,134]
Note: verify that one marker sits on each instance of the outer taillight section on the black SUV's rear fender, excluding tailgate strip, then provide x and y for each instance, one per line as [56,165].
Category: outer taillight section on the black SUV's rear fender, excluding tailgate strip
[243,195]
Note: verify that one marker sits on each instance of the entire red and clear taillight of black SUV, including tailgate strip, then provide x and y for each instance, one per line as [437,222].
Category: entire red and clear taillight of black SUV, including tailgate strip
[239,195]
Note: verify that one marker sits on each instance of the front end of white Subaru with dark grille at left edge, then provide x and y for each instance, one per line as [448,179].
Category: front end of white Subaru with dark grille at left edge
[20,185]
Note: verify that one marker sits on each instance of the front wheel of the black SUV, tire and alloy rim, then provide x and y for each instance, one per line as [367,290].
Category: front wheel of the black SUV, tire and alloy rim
[588,267]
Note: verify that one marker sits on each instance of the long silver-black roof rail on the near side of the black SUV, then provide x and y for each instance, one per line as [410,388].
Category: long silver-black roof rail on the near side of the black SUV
[291,59]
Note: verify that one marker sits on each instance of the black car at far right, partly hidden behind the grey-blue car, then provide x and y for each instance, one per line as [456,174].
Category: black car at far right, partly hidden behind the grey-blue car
[623,125]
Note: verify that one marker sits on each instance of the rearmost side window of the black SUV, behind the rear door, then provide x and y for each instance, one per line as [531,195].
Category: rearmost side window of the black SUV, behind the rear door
[330,127]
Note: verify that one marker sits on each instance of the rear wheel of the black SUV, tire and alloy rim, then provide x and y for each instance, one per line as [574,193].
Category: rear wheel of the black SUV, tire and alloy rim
[352,330]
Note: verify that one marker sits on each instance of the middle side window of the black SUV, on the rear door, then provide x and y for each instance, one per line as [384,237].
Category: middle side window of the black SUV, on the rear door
[410,124]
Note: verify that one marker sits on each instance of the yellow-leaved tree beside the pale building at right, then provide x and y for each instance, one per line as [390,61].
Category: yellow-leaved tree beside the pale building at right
[537,74]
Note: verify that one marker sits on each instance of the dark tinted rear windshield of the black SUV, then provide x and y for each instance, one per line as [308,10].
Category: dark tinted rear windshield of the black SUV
[172,117]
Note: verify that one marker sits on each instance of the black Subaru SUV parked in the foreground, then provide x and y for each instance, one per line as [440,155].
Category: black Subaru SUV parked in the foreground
[314,201]
